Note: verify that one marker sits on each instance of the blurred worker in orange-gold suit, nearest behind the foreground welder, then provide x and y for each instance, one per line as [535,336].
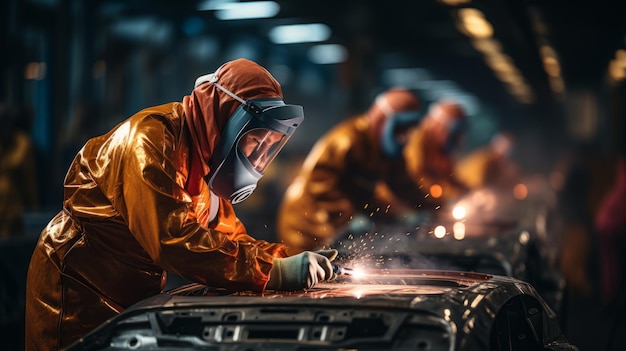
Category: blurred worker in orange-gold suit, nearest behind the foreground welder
[346,173]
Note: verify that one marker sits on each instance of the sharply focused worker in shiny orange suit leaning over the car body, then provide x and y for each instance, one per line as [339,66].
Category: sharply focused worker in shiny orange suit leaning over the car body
[155,194]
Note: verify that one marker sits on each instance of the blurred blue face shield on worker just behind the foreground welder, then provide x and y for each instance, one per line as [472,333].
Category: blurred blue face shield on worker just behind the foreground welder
[395,132]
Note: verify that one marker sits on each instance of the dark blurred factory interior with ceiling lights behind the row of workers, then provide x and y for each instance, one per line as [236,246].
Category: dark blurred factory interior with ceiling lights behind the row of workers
[552,73]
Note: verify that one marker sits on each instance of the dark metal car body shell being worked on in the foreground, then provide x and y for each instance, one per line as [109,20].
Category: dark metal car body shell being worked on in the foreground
[382,309]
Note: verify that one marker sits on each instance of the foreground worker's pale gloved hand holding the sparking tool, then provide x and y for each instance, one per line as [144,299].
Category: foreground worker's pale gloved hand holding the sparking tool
[302,271]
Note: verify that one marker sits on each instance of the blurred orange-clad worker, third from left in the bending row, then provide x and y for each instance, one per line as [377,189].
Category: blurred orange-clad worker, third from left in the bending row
[431,149]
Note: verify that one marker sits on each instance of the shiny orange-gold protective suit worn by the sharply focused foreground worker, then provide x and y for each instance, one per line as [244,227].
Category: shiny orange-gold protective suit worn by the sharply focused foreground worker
[128,217]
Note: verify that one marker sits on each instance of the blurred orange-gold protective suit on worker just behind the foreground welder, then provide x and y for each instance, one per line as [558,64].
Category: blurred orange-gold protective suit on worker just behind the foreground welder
[344,175]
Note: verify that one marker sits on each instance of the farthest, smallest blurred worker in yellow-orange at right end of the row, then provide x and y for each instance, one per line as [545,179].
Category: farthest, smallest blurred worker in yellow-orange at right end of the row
[491,165]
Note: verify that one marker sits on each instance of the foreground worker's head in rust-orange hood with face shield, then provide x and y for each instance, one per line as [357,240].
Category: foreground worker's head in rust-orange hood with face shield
[238,124]
